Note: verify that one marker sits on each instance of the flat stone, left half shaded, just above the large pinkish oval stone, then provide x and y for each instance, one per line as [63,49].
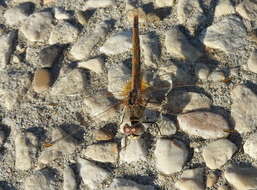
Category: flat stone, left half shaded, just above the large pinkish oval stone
[180,101]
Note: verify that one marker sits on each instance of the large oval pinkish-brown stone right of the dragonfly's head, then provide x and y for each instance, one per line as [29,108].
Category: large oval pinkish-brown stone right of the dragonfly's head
[203,124]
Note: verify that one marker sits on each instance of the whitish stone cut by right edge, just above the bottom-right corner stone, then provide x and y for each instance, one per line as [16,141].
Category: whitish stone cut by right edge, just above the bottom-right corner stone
[249,146]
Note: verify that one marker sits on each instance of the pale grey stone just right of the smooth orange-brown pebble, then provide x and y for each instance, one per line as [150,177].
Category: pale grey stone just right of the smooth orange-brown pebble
[70,83]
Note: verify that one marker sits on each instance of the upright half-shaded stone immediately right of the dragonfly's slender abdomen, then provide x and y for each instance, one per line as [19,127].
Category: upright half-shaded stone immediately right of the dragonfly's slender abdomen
[151,49]
